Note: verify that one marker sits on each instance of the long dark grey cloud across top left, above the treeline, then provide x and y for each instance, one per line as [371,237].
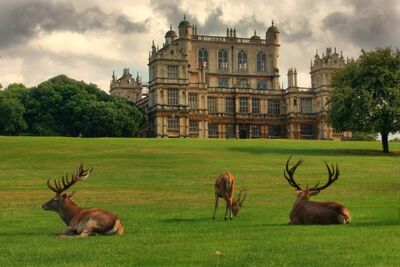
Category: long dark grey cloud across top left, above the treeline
[21,20]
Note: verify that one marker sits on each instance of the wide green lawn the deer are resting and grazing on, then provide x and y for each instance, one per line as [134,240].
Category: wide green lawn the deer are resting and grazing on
[163,191]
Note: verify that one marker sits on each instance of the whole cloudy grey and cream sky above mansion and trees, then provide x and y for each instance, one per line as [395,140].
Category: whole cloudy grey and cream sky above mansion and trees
[87,40]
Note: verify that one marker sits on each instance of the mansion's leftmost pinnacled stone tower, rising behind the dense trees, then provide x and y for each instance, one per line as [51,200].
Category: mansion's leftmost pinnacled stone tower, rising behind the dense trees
[126,86]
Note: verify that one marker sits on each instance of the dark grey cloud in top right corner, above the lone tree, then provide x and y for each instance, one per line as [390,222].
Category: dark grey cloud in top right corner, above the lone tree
[367,23]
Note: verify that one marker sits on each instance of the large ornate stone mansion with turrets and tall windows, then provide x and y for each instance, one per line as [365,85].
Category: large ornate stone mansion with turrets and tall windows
[228,87]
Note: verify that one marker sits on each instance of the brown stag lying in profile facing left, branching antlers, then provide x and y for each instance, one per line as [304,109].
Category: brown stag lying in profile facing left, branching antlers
[80,221]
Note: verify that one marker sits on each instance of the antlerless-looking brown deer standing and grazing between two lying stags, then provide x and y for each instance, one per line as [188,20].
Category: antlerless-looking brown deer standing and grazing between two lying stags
[225,188]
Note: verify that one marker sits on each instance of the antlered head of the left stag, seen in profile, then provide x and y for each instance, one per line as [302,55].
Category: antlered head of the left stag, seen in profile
[63,184]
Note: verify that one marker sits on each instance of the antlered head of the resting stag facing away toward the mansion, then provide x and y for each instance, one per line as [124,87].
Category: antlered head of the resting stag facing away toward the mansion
[333,175]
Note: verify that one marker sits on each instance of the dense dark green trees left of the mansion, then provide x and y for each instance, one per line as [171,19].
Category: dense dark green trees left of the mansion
[64,107]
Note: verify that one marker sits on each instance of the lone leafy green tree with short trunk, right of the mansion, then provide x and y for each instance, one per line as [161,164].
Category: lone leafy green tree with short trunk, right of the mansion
[366,95]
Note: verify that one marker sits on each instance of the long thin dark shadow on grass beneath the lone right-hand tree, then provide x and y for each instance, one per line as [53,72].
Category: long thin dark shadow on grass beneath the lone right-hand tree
[313,152]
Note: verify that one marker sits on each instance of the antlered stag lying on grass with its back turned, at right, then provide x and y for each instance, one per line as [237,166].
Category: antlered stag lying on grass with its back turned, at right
[305,211]
